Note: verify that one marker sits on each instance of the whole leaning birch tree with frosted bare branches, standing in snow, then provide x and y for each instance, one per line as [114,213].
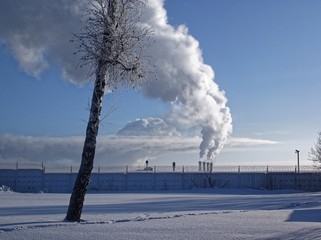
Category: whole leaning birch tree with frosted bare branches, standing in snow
[112,45]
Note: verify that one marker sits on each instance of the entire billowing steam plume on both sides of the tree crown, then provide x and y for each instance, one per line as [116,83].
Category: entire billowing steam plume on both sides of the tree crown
[38,33]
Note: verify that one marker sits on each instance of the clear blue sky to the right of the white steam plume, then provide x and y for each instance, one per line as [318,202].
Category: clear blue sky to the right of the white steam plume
[266,58]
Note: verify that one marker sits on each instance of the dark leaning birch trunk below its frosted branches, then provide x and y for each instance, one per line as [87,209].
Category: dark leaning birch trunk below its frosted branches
[87,162]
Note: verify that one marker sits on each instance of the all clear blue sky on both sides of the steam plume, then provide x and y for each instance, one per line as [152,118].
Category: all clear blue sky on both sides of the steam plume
[266,58]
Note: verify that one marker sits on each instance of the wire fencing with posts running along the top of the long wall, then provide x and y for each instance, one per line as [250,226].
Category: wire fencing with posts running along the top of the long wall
[195,168]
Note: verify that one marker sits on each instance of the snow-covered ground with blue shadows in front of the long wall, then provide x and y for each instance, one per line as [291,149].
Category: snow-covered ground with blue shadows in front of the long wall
[211,214]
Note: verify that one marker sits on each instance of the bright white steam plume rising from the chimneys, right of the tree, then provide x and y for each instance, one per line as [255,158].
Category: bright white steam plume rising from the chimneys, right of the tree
[186,82]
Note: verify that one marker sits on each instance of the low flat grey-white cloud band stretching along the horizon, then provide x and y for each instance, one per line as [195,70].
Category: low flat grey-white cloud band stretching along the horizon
[111,150]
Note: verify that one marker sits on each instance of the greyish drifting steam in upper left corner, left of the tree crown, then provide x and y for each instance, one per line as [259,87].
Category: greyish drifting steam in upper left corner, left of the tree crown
[38,33]
